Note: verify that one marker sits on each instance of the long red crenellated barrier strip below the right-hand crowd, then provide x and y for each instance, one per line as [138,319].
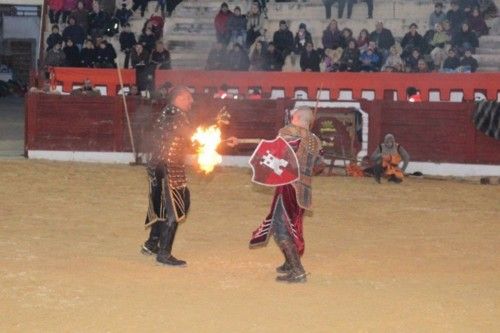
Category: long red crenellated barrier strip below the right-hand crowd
[444,83]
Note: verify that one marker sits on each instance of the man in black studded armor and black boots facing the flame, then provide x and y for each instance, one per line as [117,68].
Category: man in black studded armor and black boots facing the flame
[168,192]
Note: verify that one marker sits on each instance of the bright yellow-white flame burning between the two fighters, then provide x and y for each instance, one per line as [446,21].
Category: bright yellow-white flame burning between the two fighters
[208,139]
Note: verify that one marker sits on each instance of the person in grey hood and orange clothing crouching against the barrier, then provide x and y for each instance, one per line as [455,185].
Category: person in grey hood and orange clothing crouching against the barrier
[387,158]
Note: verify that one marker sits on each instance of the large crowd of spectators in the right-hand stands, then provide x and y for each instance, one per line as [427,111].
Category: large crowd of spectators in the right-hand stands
[242,43]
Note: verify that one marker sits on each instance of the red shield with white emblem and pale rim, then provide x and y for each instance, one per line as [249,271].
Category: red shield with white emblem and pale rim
[274,163]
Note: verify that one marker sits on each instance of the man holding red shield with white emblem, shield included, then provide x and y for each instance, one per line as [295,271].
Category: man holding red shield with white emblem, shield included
[288,163]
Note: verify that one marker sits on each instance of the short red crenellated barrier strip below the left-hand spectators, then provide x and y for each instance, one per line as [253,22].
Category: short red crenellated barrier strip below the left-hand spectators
[69,76]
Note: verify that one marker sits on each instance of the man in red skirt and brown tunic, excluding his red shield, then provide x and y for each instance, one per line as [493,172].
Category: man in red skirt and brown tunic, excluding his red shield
[290,201]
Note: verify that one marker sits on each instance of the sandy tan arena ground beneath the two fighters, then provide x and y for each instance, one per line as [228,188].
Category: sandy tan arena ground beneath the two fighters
[420,257]
